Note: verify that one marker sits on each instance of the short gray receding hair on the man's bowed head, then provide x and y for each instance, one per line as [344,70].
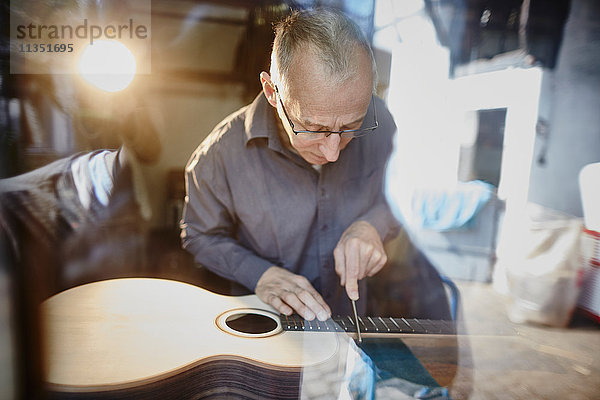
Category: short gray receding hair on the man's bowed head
[330,33]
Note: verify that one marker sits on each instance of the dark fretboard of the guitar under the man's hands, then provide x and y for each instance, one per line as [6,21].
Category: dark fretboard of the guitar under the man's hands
[386,325]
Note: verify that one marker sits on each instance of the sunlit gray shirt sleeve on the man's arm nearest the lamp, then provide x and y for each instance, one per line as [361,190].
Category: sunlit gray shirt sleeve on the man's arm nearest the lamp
[209,223]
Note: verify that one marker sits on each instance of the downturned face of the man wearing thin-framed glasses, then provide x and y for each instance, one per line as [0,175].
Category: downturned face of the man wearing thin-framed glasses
[312,103]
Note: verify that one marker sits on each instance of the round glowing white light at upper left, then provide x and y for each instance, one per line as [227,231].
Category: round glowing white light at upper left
[108,65]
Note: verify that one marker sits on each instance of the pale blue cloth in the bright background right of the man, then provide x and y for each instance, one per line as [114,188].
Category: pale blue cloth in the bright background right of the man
[444,210]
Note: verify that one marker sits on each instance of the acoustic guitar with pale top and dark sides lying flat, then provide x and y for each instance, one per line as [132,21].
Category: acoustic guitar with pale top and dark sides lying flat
[156,338]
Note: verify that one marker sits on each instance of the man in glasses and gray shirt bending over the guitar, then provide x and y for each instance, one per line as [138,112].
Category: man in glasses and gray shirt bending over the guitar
[285,195]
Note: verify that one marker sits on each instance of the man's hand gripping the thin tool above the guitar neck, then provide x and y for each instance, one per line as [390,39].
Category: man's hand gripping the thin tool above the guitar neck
[358,254]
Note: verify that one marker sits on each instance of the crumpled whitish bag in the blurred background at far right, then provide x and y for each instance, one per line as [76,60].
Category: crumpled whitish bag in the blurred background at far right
[543,266]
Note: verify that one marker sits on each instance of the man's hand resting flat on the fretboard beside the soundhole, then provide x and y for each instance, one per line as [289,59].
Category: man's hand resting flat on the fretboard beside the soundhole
[288,292]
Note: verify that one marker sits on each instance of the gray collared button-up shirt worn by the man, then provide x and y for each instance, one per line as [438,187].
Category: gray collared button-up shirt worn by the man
[252,203]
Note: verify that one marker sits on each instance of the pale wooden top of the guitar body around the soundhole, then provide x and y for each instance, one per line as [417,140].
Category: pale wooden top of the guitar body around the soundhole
[123,332]
